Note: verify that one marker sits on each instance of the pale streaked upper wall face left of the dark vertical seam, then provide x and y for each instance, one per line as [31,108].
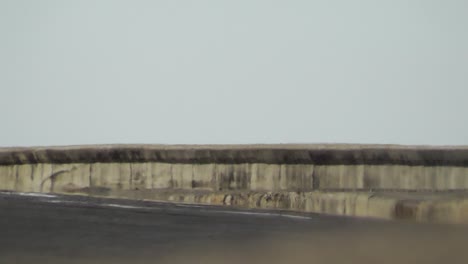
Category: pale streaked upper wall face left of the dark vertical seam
[46,177]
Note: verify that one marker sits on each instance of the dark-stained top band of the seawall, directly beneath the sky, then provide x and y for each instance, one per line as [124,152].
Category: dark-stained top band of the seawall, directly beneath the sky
[319,154]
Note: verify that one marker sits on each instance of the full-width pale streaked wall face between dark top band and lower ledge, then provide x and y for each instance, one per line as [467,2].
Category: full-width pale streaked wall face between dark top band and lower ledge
[218,177]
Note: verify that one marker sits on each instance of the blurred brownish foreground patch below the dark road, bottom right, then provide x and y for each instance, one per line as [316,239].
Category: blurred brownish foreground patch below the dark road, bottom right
[376,246]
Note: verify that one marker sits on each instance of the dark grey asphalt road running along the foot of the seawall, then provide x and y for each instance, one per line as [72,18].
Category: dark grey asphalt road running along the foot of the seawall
[72,229]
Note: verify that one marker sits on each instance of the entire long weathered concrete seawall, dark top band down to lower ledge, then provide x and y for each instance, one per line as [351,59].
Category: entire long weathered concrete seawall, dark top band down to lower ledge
[386,181]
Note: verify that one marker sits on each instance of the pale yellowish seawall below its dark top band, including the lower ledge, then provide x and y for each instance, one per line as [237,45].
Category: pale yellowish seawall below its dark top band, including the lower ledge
[327,189]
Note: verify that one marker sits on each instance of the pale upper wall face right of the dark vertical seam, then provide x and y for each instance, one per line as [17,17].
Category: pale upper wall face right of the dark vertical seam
[390,177]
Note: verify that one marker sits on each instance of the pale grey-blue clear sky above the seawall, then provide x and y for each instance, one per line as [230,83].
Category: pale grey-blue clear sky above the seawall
[233,72]
